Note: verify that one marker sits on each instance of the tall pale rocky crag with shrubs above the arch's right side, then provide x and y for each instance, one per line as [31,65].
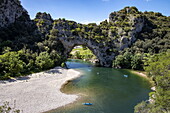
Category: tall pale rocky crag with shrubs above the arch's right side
[134,23]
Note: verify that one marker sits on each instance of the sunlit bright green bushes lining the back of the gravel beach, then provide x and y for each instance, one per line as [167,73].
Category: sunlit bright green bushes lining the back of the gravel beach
[17,63]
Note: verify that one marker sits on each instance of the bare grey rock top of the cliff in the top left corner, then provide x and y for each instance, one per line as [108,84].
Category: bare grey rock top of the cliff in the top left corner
[10,11]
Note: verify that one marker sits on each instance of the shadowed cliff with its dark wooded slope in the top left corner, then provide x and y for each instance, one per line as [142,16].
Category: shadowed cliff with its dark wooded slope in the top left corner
[17,30]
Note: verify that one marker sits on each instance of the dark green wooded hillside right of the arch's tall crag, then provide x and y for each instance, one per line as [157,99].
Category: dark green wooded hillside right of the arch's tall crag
[154,38]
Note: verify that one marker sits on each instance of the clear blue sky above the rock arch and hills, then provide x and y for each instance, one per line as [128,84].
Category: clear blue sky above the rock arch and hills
[89,11]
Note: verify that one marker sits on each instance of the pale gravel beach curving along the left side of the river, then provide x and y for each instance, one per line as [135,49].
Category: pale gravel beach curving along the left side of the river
[38,92]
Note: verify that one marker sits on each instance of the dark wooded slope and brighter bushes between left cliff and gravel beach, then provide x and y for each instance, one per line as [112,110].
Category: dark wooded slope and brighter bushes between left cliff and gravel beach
[24,49]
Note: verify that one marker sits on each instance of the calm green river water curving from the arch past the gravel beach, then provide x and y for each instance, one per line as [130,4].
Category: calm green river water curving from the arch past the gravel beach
[106,88]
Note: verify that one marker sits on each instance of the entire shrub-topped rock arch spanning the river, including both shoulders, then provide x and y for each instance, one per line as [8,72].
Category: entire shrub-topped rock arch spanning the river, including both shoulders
[105,48]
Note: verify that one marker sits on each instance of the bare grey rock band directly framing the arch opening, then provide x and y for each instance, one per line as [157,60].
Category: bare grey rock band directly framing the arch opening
[102,53]
